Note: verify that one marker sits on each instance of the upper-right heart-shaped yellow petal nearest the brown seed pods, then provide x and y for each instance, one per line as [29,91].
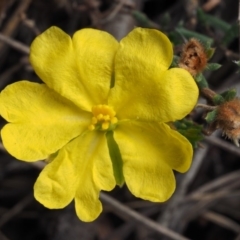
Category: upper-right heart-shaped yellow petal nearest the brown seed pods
[144,88]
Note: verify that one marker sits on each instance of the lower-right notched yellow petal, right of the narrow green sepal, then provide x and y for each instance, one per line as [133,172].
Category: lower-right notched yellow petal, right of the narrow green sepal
[150,151]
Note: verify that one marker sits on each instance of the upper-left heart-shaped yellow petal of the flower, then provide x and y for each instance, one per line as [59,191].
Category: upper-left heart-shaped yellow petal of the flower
[78,69]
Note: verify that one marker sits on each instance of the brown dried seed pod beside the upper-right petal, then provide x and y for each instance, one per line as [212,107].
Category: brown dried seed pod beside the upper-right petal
[193,57]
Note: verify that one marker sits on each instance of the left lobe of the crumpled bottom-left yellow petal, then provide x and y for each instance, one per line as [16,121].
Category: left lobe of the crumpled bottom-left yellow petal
[56,185]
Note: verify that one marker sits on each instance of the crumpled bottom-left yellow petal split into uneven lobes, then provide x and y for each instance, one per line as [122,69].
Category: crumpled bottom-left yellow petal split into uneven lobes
[81,169]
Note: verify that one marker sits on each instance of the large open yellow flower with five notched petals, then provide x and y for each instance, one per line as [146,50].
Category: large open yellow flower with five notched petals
[69,117]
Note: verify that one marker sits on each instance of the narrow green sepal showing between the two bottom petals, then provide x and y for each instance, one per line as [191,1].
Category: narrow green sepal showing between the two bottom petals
[116,158]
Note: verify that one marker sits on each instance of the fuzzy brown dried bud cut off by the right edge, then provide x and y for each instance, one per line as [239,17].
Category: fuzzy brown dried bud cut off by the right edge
[228,119]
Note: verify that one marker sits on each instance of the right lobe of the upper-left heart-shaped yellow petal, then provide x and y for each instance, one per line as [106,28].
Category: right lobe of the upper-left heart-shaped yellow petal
[95,52]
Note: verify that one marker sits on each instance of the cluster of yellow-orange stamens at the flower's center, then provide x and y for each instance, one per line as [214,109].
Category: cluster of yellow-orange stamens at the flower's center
[103,118]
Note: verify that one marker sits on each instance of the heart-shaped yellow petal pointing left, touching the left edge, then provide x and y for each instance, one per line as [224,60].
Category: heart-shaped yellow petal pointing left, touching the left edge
[41,121]
